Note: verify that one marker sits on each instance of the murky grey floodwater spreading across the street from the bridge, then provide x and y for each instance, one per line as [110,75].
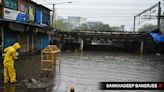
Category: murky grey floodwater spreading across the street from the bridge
[84,71]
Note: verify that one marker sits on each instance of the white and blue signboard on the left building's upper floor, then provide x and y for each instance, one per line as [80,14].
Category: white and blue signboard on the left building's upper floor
[14,15]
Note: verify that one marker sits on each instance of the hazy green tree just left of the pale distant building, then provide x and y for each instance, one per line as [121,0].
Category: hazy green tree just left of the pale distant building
[62,25]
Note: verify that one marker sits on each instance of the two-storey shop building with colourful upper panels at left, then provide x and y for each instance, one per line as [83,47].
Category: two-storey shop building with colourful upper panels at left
[26,22]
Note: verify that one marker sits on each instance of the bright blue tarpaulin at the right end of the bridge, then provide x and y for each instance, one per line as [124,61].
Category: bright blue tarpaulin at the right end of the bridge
[157,37]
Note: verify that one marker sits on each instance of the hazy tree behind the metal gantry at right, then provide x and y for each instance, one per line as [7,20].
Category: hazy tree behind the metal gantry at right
[147,28]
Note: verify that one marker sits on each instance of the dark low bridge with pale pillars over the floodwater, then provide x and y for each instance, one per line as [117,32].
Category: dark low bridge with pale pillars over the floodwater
[97,37]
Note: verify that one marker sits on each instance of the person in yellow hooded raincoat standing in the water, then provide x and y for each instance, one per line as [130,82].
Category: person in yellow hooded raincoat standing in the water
[10,56]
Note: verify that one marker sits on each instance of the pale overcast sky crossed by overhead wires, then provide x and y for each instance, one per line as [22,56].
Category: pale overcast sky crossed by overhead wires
[112,12]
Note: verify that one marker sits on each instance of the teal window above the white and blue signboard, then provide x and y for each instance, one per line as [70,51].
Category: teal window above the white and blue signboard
[12,4]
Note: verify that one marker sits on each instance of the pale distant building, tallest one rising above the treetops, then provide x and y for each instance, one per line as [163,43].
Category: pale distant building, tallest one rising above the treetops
[76,21]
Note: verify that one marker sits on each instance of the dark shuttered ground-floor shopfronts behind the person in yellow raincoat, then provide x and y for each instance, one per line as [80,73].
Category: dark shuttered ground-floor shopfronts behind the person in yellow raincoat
[30,37]
